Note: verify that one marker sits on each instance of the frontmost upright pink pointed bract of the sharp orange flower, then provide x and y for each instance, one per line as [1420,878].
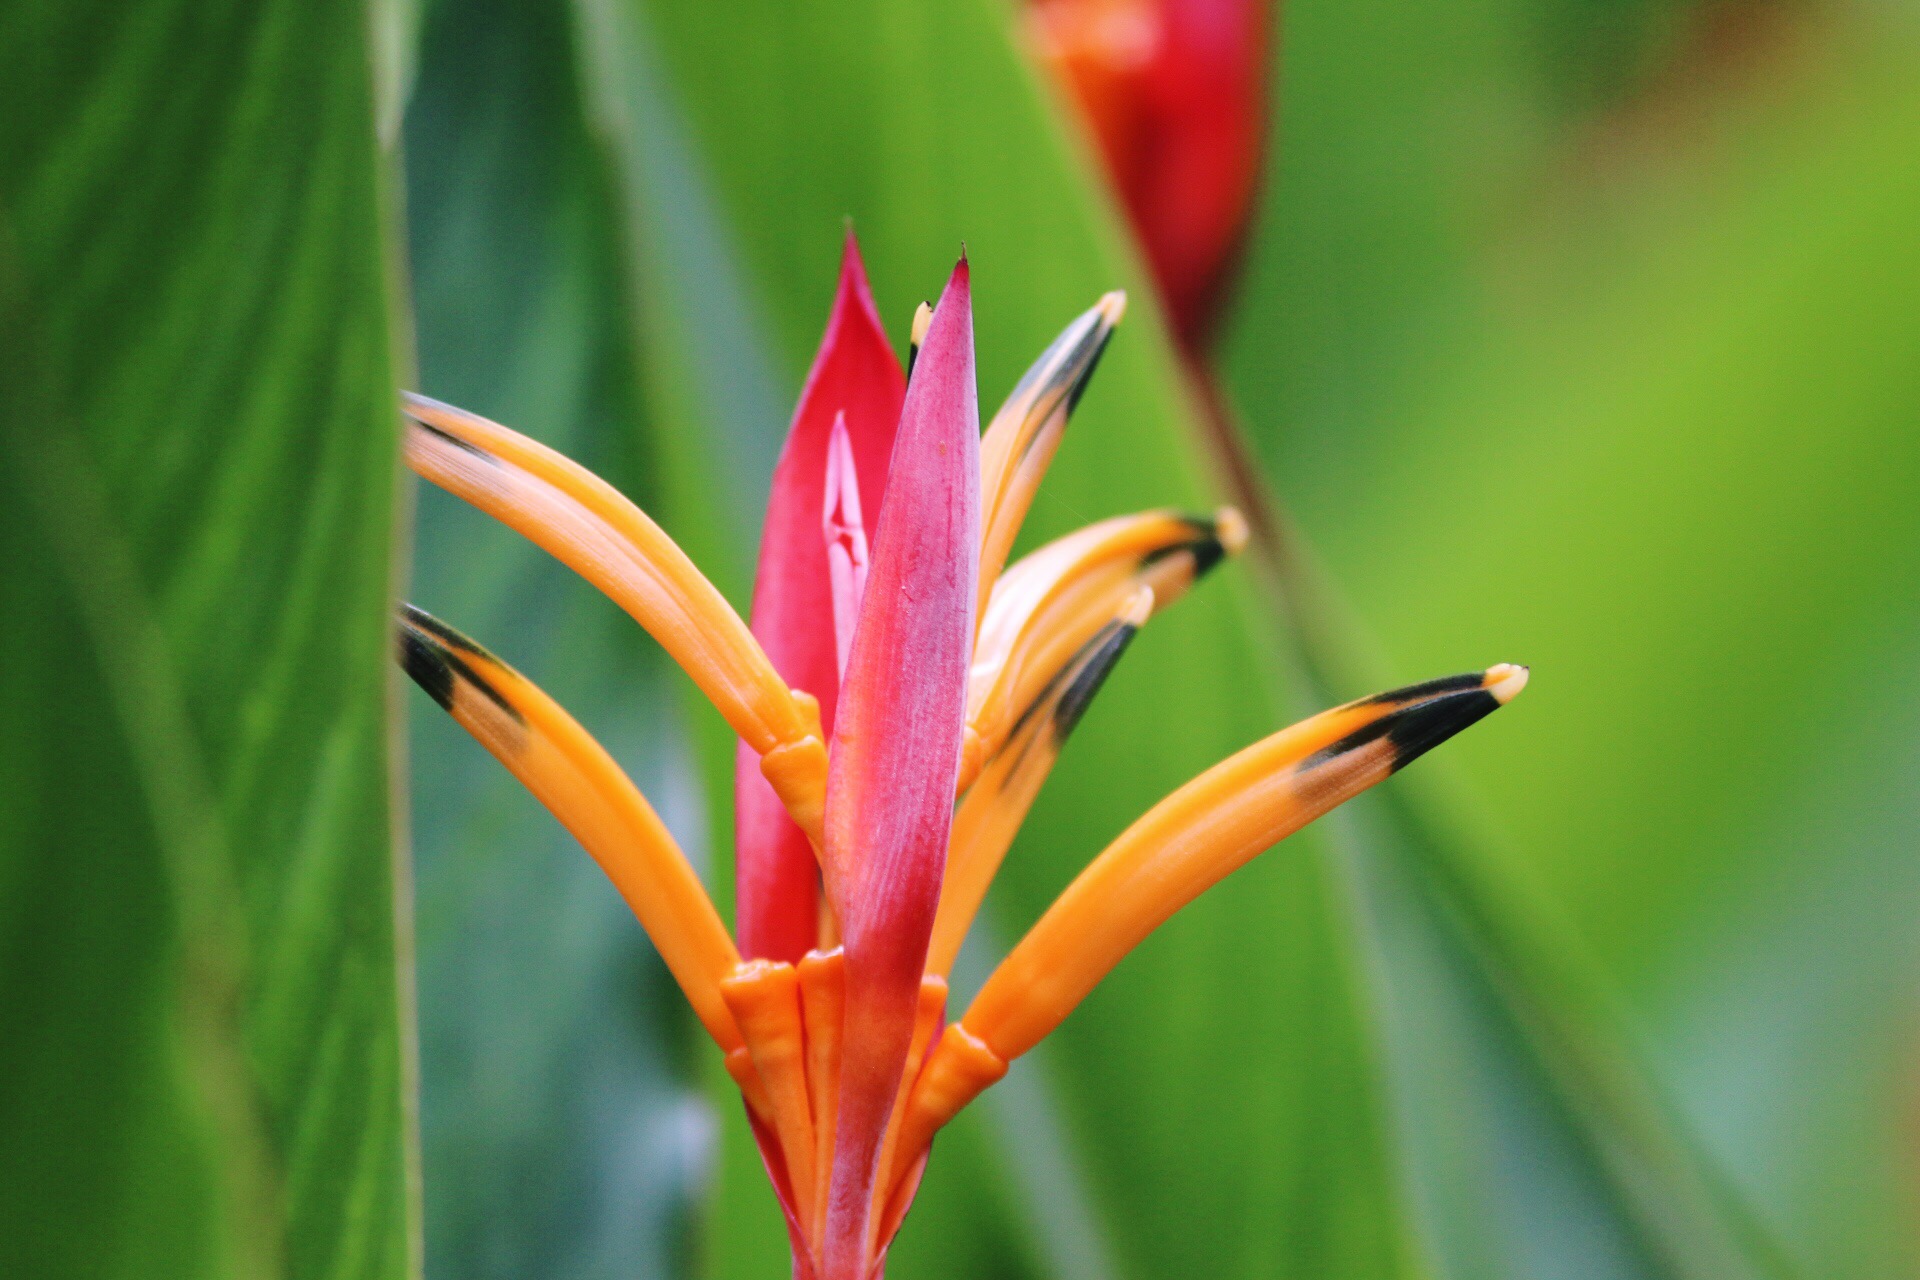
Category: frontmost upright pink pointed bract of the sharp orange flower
[898,751]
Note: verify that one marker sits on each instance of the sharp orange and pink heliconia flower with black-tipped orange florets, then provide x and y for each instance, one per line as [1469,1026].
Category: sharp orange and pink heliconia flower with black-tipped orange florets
[900,699]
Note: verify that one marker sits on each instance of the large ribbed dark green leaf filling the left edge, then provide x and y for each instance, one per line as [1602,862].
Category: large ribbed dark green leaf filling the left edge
[206,1068]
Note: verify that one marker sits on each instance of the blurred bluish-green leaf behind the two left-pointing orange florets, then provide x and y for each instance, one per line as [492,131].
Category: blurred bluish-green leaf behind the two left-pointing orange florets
[560,1139]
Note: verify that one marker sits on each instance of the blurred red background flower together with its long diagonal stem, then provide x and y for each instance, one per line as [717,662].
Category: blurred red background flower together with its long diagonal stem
[1174,95]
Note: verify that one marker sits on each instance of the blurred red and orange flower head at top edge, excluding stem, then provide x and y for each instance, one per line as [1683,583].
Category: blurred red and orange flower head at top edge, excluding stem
[1174,93]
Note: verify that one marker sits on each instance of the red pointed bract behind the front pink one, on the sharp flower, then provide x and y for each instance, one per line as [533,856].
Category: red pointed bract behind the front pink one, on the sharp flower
[859,377]
